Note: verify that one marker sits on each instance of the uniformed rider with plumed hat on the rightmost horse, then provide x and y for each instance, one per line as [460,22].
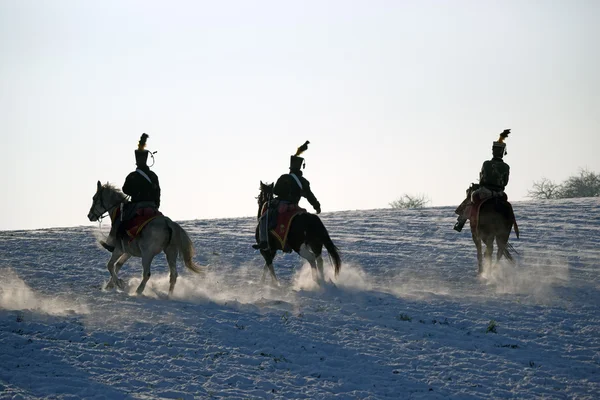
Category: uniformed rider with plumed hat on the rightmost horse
[493,178]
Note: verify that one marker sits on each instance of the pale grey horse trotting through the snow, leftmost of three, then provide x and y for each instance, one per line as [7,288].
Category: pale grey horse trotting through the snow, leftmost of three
[160,234]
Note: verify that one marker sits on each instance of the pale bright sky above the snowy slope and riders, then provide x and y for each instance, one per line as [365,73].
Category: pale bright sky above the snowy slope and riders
[396,97]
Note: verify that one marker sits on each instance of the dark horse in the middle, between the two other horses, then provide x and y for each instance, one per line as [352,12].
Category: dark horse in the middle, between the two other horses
[306,236]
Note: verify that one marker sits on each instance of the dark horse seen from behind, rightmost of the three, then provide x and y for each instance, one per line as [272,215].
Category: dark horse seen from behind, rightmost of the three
[495,222]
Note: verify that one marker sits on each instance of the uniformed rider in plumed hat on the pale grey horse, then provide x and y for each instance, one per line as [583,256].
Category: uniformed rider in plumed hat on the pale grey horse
[144,189]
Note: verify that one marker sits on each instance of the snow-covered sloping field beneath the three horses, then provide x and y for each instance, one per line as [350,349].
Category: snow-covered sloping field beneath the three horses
[407,318]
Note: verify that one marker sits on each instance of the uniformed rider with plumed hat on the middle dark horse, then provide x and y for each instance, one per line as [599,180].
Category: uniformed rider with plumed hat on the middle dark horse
[289,188]
